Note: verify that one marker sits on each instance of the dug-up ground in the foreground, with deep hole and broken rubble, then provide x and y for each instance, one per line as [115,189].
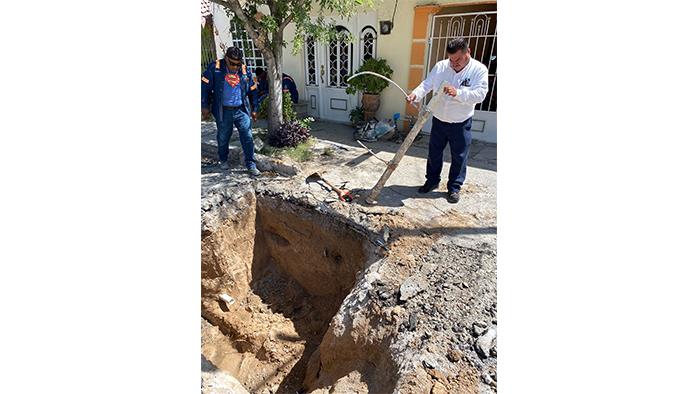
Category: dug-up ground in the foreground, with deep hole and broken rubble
[330,297]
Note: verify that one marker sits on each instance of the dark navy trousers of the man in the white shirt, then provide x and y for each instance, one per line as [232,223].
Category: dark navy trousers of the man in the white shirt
[459,137]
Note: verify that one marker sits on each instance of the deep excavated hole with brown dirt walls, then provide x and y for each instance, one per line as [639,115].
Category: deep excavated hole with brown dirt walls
[288,269]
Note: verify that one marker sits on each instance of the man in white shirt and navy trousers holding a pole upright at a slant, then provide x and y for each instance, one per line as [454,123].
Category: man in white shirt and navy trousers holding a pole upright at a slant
[460,83]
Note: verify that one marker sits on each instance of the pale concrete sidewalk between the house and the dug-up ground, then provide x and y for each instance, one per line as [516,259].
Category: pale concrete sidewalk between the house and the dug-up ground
[353,168]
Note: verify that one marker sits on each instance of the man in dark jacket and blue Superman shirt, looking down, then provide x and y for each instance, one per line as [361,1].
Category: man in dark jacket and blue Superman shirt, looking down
[228,91]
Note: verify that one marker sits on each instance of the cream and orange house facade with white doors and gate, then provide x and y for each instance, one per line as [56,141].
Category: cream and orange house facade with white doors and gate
[410,34]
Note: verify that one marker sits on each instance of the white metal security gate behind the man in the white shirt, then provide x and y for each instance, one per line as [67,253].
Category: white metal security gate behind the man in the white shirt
[480,29]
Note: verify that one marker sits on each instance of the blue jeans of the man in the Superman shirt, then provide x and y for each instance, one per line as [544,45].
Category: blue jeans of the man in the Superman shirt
[230,119]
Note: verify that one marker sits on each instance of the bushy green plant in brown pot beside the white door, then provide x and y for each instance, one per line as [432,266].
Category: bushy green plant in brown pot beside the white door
[369,85]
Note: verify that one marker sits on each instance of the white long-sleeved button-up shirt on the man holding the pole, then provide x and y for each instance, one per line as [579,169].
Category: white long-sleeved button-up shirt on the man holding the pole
[471,83]
